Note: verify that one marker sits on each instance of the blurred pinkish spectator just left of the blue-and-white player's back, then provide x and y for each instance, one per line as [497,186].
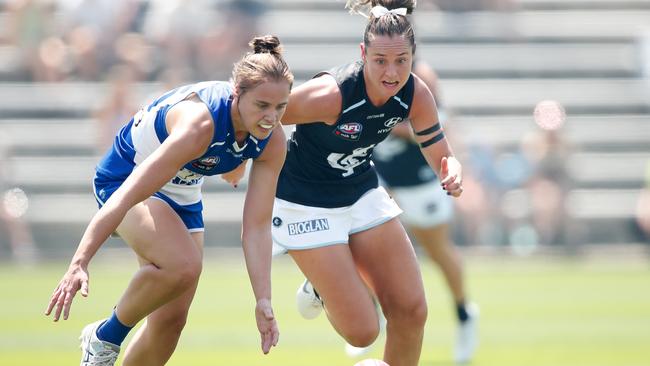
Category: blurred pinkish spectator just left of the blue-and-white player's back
[118,107]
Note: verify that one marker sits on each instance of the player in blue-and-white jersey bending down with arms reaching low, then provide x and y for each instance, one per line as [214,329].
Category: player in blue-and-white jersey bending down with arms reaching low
[149,188]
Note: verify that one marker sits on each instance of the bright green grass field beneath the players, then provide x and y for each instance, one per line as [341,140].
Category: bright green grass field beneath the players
[534,312]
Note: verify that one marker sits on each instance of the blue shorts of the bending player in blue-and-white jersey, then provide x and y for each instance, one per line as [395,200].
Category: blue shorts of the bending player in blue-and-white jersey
[192,215]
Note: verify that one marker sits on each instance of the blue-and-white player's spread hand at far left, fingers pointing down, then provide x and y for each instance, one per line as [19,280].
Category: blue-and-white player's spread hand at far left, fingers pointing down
[75,279]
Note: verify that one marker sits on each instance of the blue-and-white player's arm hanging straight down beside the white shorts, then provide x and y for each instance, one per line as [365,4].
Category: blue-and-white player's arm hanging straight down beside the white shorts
[256,233]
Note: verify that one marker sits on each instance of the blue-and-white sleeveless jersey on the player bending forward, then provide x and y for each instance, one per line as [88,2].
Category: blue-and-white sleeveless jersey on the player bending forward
[146,131]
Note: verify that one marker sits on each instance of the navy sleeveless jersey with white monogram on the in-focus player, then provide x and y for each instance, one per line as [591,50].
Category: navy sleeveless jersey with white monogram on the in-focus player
[329,166]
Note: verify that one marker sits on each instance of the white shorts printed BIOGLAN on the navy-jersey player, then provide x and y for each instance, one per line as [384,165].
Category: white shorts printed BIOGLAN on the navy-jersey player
[298,227]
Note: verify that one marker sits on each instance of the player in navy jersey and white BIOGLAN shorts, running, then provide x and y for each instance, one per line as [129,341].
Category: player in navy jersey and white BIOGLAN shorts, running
[338,225]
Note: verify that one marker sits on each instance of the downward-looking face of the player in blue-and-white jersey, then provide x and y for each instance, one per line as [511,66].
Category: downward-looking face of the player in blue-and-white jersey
[261,108]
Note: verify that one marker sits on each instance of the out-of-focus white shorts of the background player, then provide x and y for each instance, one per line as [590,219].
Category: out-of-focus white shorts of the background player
[425,205]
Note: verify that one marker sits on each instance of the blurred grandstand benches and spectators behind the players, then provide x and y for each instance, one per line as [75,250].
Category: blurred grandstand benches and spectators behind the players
[548,105]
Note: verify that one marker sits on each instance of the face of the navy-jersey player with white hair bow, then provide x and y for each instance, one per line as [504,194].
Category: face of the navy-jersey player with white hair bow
[388,62]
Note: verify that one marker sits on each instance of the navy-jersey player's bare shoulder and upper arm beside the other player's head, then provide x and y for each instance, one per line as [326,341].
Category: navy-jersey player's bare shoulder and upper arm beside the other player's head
[317,100]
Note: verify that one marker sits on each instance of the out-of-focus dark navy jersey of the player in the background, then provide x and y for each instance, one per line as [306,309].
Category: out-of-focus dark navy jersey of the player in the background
[400,163]
